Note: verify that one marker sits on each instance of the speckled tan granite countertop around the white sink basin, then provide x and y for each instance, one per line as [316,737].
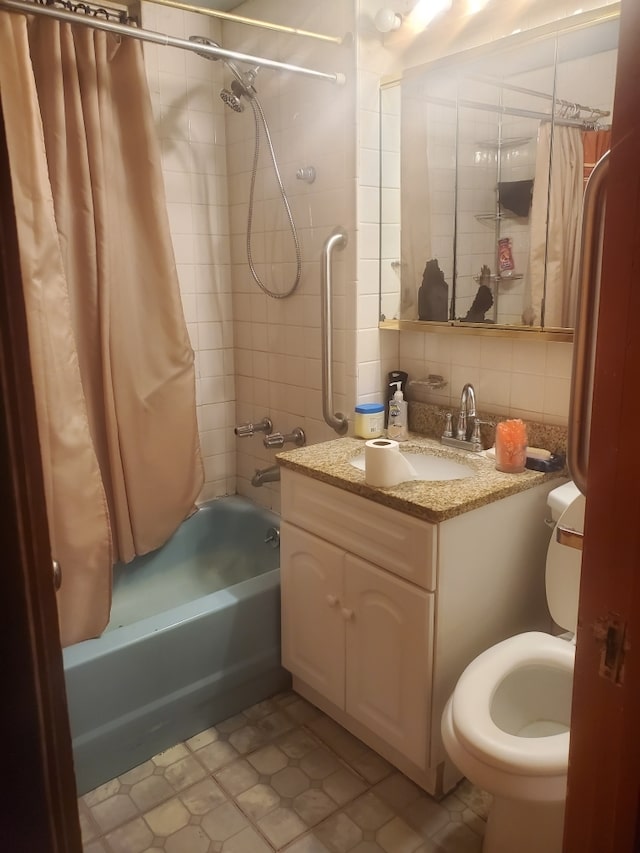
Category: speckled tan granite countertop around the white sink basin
[433,501]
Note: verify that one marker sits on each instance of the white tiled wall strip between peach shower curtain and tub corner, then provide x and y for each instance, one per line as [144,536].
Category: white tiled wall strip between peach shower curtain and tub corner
[190,123]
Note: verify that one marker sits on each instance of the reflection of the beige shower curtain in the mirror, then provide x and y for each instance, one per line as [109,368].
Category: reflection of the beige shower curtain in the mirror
[554,257]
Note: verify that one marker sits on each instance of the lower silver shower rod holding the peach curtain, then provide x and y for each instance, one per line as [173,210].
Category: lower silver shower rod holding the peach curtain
[28,7]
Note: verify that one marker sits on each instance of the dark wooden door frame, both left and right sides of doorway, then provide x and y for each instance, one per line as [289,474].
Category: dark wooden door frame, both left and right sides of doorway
[39,796]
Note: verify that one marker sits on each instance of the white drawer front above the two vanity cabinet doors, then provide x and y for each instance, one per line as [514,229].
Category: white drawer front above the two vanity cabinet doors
[400,543]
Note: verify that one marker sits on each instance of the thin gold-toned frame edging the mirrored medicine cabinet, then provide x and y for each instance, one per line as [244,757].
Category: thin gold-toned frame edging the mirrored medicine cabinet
[526,37]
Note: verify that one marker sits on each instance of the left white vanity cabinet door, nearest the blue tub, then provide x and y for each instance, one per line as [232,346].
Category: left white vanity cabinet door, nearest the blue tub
[312,621]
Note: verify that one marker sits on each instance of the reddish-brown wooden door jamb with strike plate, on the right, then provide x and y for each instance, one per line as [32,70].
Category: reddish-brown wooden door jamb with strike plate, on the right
[604,759]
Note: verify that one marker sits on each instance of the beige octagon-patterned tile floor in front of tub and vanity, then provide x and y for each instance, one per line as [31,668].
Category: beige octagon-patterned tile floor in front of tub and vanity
[279,776]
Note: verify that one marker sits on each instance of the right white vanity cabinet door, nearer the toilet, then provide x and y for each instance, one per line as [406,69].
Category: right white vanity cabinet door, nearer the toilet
[389,629]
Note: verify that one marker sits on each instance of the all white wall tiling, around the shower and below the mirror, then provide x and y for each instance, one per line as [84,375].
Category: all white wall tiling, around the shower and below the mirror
[257,356]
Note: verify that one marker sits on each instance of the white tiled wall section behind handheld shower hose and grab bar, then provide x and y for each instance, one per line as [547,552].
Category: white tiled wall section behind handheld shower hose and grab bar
[312,123]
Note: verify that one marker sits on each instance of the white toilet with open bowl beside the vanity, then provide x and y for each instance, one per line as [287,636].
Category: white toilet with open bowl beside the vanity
[506,724]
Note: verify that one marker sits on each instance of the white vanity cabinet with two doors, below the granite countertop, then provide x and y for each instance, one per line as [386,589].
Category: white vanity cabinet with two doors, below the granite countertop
[382,611]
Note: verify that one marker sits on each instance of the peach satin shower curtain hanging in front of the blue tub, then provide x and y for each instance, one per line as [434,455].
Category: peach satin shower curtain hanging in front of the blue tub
[113,367]
